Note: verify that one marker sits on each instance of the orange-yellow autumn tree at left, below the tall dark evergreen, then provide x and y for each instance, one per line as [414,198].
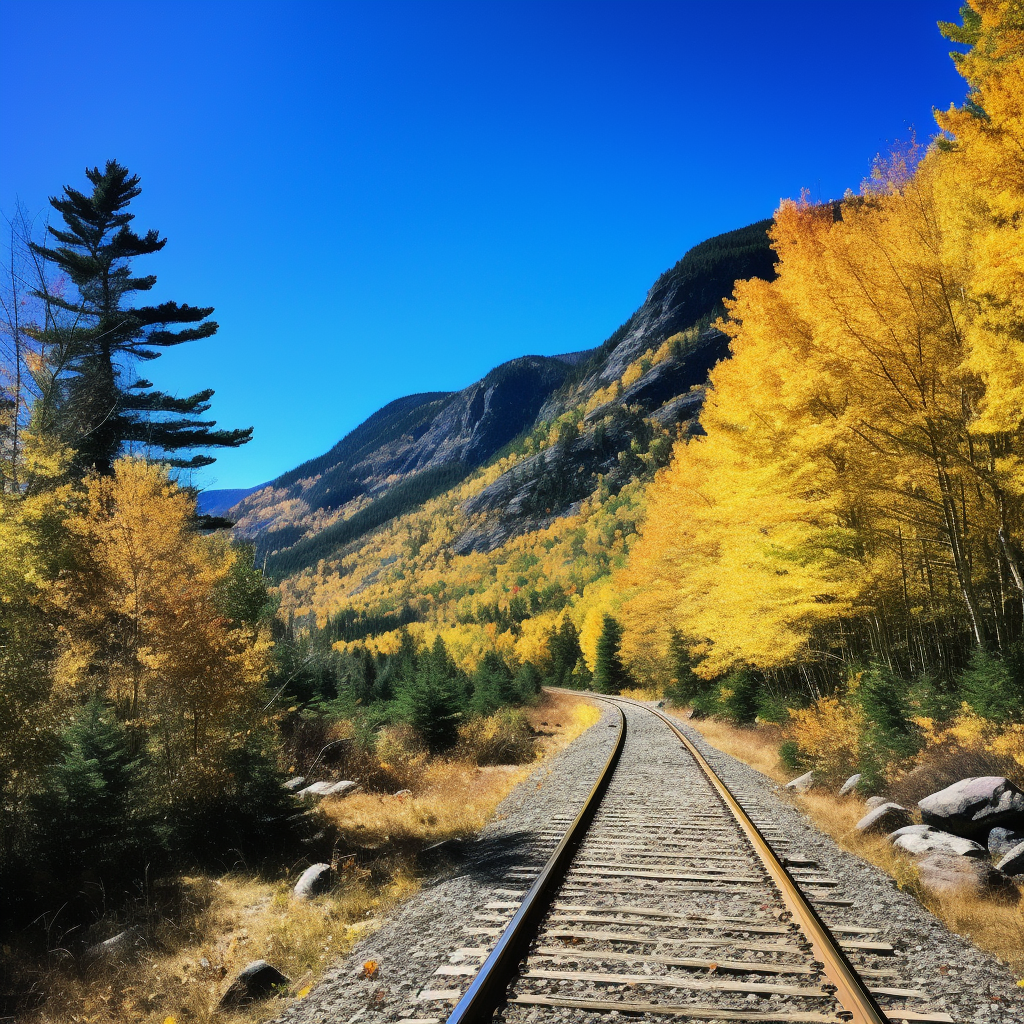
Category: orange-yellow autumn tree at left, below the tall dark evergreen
[143,623]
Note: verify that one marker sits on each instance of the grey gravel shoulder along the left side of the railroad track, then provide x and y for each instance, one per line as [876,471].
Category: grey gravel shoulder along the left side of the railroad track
[422,936]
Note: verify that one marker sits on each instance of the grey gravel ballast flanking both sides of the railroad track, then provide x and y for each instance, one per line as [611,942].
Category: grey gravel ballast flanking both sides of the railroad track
[430,929]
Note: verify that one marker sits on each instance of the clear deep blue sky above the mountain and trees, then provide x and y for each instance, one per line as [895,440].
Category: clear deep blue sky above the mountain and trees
[389,198]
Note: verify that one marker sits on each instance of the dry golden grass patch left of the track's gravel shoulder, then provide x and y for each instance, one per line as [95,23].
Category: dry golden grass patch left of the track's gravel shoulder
[208,928]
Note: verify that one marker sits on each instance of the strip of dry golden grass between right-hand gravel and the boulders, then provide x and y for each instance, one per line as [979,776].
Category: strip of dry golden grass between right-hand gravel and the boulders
[991,924]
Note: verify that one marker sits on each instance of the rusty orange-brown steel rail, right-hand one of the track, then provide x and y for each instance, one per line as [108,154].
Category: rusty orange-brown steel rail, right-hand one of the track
[860,1007]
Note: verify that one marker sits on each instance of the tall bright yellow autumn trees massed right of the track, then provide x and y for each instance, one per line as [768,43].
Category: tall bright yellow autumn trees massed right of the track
[852,521]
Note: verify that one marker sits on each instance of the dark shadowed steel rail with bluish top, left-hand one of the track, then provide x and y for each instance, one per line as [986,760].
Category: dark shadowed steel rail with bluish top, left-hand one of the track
[490,988]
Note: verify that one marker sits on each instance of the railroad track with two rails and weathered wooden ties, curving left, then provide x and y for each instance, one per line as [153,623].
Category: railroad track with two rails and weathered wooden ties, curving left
[668,895]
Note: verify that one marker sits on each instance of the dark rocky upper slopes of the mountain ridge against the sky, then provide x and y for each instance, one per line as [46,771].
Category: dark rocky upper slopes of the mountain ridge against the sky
[595,407]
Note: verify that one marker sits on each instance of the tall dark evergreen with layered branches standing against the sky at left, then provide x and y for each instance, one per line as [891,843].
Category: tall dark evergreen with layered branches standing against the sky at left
[107,407]
